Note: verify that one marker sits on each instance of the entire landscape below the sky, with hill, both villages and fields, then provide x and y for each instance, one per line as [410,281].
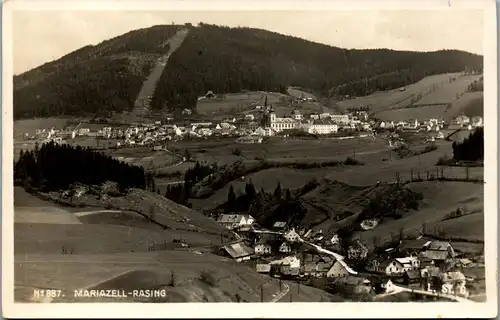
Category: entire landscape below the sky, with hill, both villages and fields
[204,170]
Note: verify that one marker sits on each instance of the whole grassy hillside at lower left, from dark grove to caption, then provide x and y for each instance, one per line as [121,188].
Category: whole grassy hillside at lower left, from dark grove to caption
[112,250]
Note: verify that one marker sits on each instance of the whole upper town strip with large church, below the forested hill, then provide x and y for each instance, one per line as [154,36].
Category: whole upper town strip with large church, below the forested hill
[252,127]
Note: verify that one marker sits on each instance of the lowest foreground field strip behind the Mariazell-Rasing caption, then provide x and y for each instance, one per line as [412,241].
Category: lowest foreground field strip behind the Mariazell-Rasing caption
[154,270]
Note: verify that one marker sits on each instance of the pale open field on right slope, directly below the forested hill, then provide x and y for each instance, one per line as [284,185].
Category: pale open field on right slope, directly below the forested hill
[396,98]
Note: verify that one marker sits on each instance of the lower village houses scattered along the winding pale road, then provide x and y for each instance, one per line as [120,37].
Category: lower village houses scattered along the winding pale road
[421,264]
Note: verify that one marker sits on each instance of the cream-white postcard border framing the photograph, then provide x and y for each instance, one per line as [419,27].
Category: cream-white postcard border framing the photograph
[252,310]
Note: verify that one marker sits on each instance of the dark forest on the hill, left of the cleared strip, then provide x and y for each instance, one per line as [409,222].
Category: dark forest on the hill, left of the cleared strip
[94,79]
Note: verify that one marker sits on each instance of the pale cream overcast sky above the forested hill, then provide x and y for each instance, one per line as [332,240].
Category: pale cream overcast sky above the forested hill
[42,36]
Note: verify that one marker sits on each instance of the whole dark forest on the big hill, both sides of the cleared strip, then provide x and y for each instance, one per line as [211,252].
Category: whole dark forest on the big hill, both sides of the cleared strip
[108,76]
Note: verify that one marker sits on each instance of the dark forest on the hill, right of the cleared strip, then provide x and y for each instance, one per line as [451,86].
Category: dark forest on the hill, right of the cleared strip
[225,59]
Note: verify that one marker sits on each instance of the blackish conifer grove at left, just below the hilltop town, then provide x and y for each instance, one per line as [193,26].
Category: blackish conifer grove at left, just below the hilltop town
[56,167]
